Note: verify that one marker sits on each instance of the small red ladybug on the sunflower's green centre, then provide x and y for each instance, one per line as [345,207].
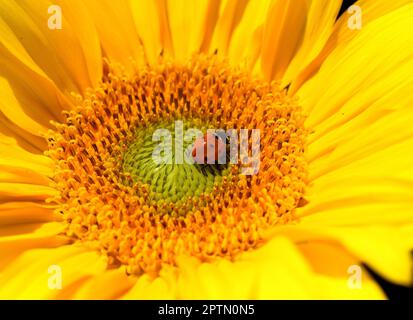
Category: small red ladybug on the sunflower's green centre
[212,145]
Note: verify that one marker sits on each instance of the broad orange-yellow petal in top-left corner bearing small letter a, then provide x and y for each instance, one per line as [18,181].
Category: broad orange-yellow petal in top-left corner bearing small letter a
[72,70]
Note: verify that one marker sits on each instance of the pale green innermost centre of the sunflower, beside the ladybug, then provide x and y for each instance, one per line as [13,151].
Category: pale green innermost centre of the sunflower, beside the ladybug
[161,157]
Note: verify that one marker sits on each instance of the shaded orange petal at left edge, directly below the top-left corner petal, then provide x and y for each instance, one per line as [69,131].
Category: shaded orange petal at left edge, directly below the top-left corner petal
[30,99]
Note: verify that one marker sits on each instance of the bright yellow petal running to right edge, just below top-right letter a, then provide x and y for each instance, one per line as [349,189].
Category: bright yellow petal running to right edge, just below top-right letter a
[355,67]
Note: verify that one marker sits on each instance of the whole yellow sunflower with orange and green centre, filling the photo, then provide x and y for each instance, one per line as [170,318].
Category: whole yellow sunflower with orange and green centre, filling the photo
[85,213]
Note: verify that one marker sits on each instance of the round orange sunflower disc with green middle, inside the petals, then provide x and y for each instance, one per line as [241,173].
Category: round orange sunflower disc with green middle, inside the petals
[142,213]
